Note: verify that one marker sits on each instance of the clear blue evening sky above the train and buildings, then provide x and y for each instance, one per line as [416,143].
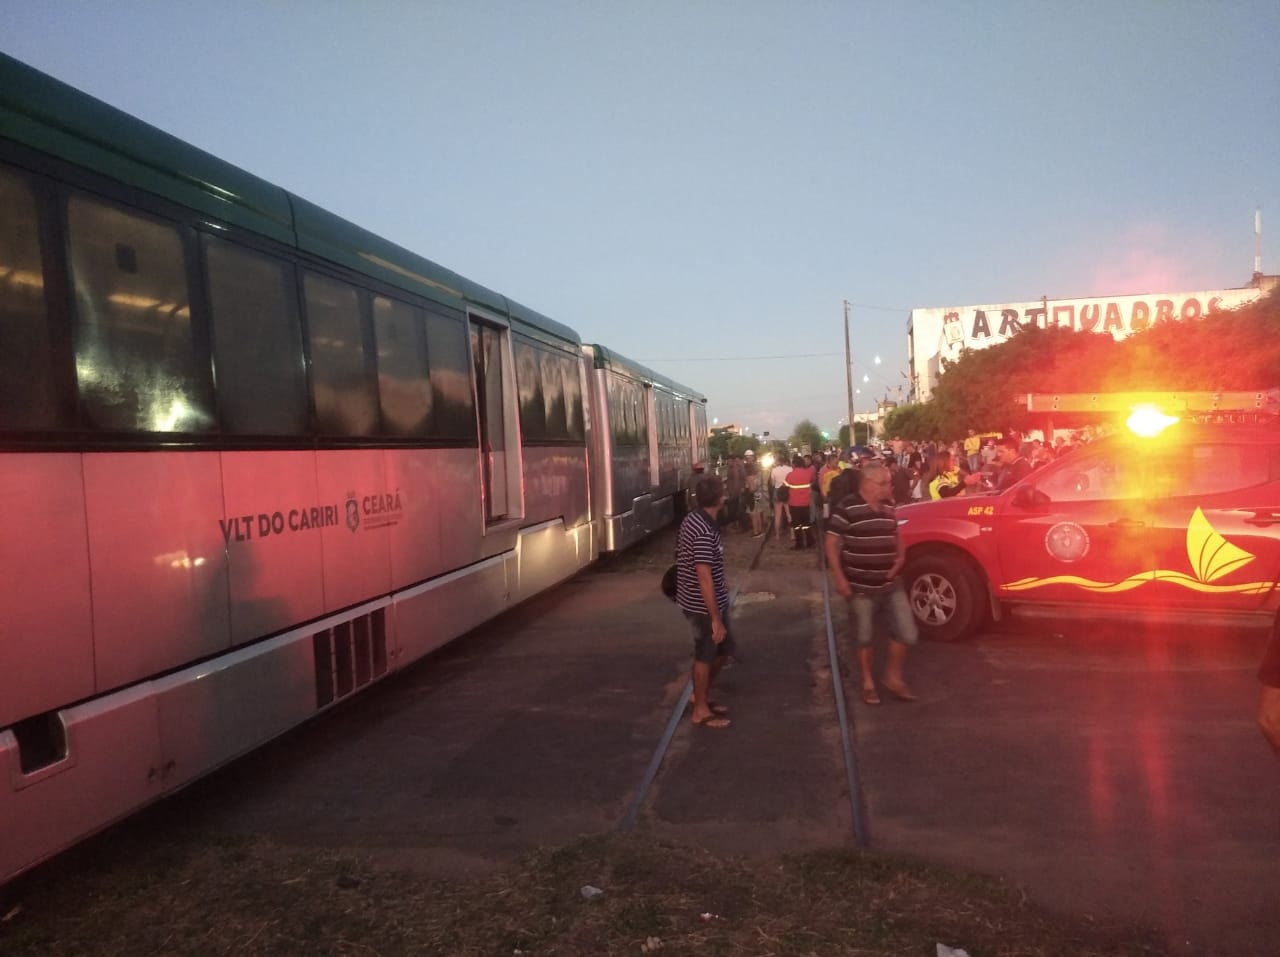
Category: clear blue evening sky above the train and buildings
[701,185]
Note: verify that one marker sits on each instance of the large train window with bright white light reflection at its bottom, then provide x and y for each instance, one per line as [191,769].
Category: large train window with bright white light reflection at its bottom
[135,349]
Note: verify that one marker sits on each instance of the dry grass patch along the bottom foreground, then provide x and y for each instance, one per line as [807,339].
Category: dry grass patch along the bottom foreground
[258,899]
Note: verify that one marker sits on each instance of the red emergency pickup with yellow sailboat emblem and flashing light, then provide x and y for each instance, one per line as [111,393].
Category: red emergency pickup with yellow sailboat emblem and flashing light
[1173,516]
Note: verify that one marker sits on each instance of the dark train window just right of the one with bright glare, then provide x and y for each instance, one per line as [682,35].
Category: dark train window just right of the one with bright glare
[258,342]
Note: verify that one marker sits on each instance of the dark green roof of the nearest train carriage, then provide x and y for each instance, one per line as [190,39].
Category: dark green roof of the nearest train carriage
[48,116]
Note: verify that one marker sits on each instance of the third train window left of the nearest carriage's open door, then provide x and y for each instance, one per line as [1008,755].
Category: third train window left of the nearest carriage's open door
[341,379]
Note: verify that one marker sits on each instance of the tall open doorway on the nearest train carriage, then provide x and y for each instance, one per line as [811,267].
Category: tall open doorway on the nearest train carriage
[496,411]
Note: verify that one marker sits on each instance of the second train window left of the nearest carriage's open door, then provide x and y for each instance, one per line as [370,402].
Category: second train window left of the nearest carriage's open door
[404,381]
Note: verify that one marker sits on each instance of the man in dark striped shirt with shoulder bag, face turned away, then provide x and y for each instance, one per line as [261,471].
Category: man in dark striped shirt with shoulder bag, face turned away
[703,597]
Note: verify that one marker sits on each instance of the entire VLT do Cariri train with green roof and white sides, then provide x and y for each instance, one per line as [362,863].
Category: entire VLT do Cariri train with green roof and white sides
[257,459]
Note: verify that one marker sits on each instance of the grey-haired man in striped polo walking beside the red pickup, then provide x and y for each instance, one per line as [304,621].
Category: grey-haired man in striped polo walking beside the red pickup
[866,557]
